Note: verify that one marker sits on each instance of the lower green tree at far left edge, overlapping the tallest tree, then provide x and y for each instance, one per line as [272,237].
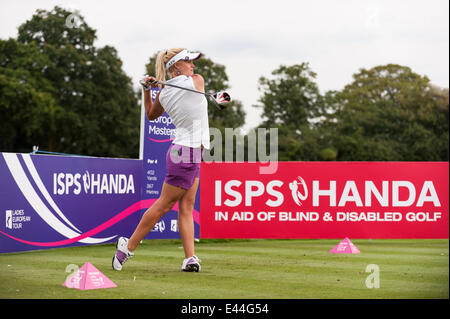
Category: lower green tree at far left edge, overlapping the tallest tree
[29,111]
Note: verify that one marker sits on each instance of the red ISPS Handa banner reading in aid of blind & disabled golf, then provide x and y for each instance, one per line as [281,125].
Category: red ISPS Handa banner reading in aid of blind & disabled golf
[325,200]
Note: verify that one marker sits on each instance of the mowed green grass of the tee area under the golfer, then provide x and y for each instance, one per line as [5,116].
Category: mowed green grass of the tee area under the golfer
[267,269]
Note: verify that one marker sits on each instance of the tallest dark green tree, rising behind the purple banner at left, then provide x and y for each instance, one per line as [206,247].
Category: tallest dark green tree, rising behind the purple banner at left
[95,108]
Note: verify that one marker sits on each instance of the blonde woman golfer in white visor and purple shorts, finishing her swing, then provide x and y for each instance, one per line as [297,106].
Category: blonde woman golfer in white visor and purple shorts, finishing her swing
[189,113]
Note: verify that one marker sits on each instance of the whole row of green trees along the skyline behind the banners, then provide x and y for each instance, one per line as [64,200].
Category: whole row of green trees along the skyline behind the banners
[61,92]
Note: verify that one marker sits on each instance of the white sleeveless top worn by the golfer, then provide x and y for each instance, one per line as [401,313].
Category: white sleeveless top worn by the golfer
[189,112]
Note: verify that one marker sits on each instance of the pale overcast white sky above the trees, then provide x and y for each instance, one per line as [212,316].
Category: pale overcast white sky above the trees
[252,38]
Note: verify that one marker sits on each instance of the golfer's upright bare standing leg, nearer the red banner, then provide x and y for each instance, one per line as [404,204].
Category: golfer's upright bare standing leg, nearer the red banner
[186,220]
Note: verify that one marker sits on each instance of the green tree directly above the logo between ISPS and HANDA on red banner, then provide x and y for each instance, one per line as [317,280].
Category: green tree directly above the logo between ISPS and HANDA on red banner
[292,103]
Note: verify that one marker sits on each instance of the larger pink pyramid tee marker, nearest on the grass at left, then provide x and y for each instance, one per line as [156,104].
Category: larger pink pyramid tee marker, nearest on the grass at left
[88,277]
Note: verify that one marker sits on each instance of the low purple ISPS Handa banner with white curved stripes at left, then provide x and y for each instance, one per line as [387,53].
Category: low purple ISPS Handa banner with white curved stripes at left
[62,201]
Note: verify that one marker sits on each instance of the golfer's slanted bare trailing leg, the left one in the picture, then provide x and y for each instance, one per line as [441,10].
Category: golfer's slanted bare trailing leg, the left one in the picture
[169,196]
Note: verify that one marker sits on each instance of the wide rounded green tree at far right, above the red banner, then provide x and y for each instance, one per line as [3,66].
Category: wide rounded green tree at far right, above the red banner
[389,114]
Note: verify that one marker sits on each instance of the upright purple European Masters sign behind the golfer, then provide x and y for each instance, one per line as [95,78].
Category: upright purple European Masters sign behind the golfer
[156,138]
